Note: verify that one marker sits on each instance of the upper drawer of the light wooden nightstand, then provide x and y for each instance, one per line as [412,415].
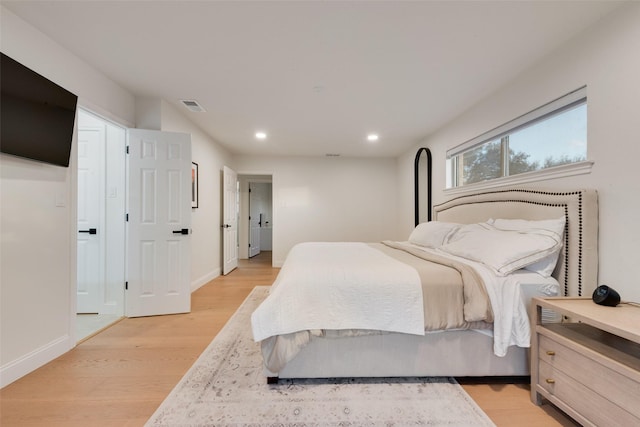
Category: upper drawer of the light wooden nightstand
[593,373]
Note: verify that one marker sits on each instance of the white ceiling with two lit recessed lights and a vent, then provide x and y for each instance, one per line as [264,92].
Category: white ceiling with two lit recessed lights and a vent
[316,76]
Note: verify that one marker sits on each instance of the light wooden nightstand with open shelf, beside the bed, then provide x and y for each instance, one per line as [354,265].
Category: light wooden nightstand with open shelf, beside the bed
[588,365]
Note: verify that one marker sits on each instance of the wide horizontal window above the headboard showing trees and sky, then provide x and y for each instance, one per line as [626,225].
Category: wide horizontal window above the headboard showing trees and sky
[552,135]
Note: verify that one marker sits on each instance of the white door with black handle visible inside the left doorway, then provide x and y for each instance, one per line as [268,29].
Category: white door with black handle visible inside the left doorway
[90,225]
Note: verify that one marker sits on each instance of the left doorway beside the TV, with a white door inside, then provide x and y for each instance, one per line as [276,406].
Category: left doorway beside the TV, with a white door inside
[101,224]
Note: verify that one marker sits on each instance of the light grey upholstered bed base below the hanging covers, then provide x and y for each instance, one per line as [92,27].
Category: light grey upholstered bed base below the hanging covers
[452,353]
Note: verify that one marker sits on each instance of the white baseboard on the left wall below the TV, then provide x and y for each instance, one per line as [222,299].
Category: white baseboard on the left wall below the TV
[31,361]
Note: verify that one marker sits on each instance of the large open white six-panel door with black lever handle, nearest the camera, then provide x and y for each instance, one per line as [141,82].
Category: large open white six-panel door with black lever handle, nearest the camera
[159,223]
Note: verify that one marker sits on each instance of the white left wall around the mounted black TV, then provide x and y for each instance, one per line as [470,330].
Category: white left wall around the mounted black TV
[37,223]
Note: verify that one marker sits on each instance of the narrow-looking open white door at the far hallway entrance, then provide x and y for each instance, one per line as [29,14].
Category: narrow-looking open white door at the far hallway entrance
[229,220]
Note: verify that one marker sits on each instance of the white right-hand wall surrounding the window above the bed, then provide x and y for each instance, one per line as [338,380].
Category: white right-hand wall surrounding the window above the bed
[607,59]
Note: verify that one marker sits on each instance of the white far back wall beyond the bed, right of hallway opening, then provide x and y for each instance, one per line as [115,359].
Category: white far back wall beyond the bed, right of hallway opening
[327,199]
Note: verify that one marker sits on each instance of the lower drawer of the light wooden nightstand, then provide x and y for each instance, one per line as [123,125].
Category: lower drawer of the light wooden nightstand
[592,405]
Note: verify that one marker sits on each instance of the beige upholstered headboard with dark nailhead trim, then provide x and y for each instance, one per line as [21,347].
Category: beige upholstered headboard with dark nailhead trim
[577,267]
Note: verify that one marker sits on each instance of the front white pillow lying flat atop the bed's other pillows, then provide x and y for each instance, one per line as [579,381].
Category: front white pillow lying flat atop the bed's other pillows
[504,251]
